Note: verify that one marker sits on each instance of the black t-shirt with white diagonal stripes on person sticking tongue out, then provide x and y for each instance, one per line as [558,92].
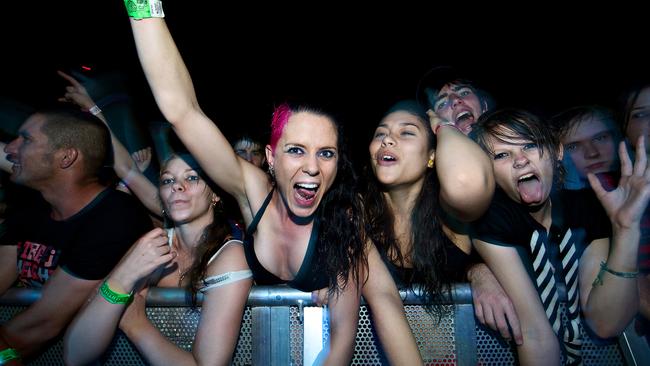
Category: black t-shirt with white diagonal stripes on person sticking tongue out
[552,257]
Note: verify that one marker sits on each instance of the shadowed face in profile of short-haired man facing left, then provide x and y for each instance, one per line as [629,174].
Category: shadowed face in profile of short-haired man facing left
[31,154]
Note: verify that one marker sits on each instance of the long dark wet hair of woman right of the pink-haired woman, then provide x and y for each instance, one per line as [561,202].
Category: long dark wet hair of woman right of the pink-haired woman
[428,243]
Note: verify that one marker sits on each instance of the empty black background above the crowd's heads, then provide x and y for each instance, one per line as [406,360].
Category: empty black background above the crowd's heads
[245,58]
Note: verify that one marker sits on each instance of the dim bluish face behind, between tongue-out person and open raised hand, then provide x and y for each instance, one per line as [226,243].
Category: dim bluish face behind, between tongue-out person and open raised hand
[591,146]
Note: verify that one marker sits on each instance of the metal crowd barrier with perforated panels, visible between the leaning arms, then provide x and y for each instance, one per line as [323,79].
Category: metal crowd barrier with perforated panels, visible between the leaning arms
[282,326]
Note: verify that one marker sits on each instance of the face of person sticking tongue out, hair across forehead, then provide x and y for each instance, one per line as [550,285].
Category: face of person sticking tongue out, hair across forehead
[522,169]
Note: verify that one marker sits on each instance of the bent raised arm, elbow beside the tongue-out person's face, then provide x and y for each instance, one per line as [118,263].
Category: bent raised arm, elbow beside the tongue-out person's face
[464,171]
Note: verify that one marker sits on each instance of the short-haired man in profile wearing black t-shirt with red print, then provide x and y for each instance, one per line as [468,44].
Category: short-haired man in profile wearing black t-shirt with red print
[71,241]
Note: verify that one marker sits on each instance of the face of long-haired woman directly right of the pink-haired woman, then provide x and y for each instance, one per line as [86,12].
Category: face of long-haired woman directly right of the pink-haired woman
[400,149]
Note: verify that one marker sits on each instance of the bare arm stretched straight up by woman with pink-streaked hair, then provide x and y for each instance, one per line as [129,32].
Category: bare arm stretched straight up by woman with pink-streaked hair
[174,92]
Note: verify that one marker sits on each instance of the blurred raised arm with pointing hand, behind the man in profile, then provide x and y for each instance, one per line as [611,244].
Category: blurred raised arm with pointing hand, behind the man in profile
[123,164]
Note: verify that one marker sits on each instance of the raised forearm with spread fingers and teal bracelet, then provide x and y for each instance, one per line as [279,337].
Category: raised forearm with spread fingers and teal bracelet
[609,291]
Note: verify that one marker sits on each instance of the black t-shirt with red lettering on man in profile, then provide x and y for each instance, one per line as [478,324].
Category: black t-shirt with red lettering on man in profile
[87,245]
